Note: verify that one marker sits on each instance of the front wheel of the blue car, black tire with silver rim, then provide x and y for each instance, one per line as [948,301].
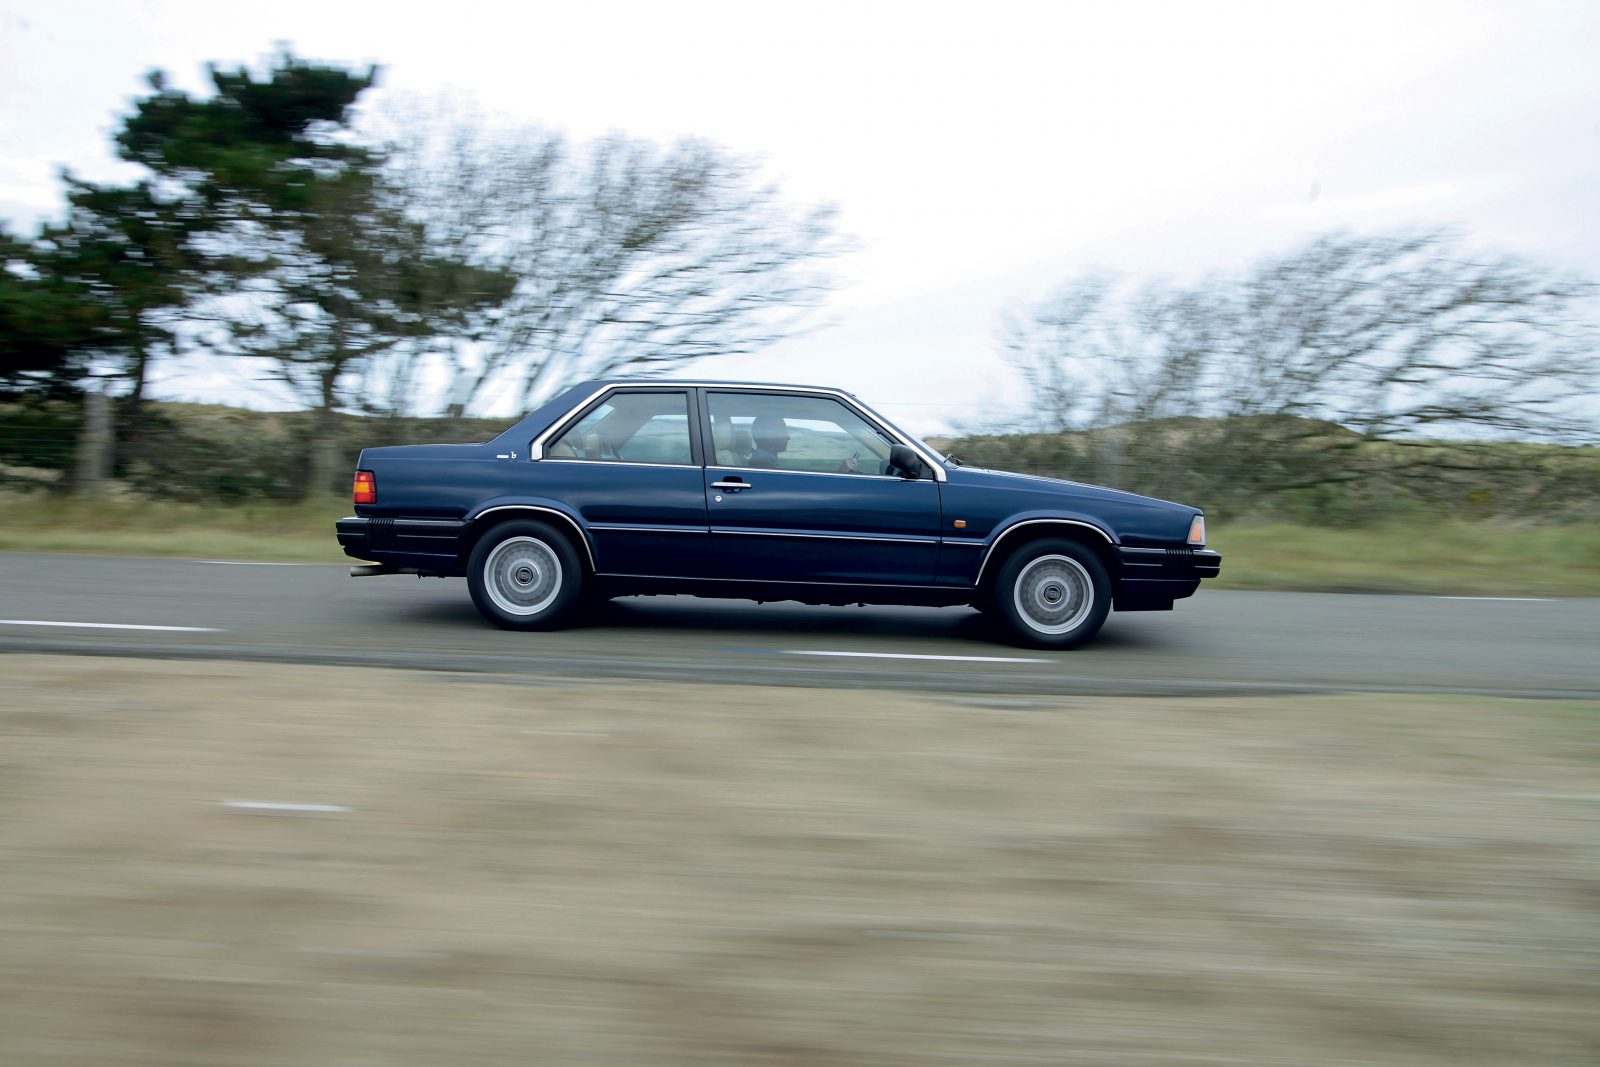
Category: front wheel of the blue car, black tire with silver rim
[1052,594]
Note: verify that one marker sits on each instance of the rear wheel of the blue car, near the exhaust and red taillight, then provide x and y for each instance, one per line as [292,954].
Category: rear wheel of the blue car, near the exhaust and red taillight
[526,577]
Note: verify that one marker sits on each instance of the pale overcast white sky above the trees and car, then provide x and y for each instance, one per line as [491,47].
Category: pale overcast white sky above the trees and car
[980,154]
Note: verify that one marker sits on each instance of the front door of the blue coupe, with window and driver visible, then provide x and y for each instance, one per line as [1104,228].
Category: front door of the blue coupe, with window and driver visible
[798,489]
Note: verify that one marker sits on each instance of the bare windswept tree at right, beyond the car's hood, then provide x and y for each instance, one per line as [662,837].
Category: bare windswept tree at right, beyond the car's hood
[1306,356]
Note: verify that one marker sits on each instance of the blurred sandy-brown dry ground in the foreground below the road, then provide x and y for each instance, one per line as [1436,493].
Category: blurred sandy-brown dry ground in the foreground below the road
[529,873]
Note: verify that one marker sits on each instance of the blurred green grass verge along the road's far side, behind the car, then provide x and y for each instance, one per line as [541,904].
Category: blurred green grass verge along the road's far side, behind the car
[1489,559]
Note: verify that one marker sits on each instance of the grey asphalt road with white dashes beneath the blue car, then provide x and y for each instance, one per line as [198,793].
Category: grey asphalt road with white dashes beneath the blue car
[1218,642]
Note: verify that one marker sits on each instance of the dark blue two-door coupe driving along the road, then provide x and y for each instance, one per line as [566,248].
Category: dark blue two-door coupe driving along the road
[767,494]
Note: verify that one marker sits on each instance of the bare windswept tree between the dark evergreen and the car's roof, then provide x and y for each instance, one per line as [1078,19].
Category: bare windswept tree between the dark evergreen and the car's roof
[628,257]
